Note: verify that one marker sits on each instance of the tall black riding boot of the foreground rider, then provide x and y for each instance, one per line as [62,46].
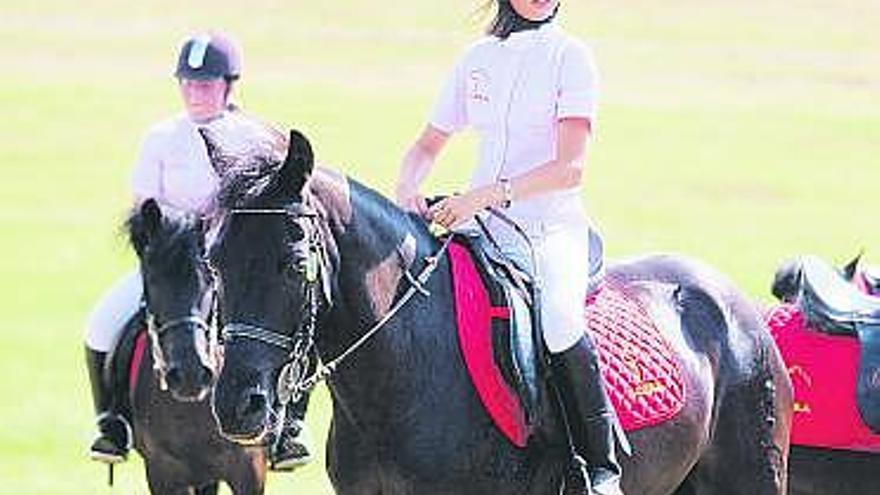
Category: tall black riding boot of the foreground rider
[590,416]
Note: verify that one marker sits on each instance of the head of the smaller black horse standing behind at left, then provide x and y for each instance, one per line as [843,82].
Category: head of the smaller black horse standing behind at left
[177,288]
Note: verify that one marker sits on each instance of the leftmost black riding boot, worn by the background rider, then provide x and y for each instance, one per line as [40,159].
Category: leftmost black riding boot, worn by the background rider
[114,433]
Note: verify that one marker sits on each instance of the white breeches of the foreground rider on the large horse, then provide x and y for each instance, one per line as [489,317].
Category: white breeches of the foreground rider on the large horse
[562,254]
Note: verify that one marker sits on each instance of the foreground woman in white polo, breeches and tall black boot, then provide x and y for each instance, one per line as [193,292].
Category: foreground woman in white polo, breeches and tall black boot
[530,92]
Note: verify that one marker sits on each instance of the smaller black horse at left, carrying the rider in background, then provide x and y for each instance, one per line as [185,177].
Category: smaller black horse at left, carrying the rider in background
[174,430]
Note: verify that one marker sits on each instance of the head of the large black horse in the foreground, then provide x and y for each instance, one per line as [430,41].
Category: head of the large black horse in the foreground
[269,262]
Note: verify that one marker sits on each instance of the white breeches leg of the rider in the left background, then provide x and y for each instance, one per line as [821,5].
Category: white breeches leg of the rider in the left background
[113,311]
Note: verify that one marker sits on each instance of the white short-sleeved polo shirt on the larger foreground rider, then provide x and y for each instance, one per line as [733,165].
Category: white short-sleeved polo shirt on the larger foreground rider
[514,92]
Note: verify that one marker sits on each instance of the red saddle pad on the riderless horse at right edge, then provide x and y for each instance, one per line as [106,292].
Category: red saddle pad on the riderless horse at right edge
[823,369]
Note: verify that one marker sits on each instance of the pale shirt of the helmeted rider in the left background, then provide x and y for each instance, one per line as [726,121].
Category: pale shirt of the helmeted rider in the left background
[173,165]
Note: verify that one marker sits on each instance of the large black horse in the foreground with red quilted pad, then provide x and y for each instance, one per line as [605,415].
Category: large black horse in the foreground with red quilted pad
[305,258]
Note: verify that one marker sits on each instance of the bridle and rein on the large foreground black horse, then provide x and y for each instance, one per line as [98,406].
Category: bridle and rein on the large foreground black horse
[292,380]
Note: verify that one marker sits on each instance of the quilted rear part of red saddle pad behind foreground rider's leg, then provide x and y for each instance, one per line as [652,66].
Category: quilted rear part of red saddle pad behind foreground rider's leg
[643,377]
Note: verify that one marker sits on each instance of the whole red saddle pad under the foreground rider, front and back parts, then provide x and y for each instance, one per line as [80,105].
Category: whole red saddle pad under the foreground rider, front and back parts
[642,376]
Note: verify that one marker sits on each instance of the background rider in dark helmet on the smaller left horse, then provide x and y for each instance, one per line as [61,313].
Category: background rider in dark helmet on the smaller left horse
[173,167]
